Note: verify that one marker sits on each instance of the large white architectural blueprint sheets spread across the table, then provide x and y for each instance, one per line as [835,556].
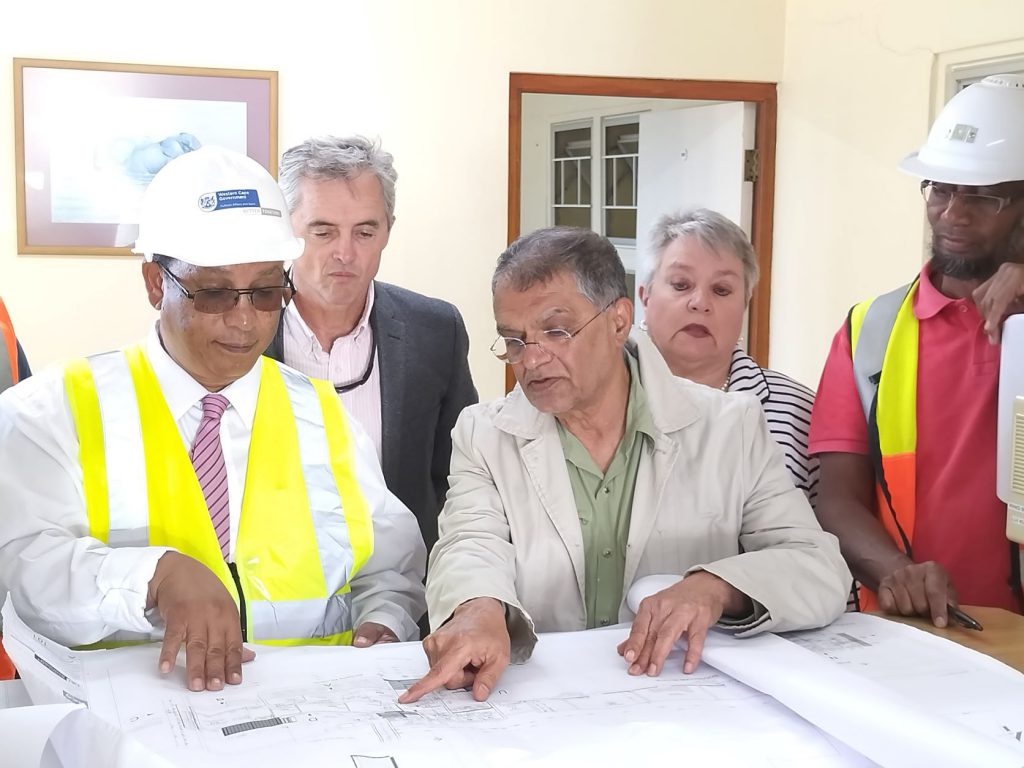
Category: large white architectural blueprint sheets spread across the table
[572,704]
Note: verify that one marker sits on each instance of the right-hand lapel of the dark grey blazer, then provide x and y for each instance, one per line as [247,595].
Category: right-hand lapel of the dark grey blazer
[390,329]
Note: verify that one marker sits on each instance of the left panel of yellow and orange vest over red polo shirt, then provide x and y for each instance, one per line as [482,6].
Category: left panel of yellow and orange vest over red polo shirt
[884,335]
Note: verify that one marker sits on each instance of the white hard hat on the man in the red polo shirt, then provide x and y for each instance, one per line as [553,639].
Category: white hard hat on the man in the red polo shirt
[978,139]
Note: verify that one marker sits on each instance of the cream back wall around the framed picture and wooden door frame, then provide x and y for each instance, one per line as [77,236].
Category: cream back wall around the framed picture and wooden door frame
[431,78]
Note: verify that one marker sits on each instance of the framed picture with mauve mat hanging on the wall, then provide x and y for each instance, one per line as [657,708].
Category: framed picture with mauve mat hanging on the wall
[91,137]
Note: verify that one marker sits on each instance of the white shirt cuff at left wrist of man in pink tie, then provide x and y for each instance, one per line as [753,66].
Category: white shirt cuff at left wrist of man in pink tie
[123,582]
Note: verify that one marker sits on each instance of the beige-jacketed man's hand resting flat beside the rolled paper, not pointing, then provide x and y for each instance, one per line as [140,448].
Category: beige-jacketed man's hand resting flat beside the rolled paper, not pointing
[690,609]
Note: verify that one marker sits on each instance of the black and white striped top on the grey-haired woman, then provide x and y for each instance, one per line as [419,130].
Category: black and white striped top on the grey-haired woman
[788,408]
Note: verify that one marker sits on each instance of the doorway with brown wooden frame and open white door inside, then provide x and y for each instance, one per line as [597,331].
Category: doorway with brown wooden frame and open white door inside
[588,136]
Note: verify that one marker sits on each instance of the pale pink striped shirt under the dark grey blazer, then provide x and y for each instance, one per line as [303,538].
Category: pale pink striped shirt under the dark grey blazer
[345,363]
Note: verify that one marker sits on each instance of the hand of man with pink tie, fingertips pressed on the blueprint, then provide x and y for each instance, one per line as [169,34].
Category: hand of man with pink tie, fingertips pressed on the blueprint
[200,614]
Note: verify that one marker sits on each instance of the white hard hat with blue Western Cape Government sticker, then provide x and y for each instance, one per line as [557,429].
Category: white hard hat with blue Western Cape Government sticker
[215,207]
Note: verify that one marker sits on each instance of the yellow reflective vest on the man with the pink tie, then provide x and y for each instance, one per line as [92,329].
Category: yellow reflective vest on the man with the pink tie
[306,529]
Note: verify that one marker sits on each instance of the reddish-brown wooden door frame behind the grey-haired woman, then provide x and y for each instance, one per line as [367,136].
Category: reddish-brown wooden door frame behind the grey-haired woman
[762,95]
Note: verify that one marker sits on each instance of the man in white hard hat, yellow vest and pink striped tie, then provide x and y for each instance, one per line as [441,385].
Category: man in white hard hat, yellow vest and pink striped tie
[190,489]
